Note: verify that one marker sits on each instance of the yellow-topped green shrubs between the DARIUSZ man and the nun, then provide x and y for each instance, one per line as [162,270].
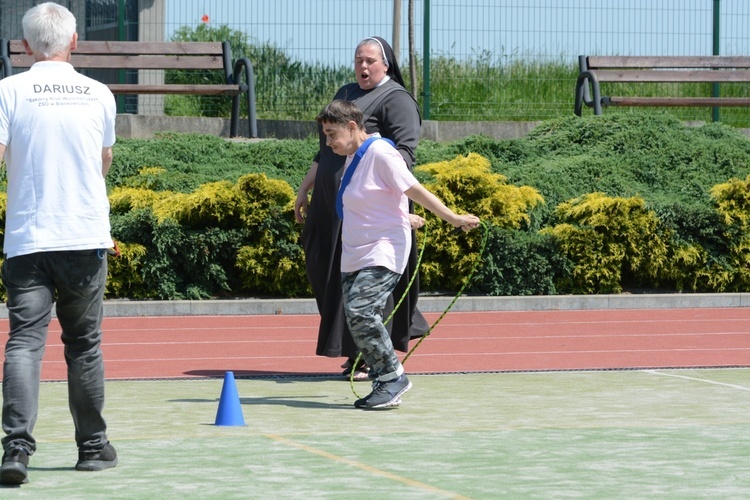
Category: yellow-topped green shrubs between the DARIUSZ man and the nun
[222,238]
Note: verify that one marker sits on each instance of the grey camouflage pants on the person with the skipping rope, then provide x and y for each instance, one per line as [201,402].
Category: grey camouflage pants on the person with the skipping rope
[365,294]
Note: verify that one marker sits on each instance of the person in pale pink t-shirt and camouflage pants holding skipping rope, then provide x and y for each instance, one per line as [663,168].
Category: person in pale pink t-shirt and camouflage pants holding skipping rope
[375,240]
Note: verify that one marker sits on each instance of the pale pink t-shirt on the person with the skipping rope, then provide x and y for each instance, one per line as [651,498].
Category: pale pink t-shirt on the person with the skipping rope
[376,229]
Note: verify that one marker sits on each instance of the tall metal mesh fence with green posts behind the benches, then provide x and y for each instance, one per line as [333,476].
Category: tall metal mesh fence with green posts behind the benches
[488,59]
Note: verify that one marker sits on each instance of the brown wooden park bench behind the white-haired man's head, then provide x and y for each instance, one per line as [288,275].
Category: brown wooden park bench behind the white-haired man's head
[237,76]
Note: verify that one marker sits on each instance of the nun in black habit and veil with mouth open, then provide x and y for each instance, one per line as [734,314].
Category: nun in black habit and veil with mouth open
[392,111]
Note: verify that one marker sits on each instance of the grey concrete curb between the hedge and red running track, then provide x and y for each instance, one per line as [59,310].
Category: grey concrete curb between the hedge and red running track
[240,307]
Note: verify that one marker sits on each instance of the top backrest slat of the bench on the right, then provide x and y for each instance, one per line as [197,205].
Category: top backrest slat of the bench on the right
[670,62]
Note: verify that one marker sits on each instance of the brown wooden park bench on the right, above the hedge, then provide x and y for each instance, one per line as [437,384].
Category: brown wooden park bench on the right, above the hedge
[595,70]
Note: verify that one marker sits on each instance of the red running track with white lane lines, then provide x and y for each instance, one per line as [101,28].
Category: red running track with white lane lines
[200,346]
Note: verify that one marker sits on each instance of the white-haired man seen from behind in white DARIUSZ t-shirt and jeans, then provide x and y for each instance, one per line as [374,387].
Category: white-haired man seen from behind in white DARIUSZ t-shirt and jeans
[57,129]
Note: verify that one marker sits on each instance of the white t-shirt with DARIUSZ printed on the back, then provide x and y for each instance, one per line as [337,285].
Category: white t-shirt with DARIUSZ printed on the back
[54,123]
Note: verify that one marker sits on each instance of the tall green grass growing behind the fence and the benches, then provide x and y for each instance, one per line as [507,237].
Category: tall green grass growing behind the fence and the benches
[480,88]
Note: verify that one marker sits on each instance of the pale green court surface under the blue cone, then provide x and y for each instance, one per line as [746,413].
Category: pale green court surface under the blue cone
[591,434]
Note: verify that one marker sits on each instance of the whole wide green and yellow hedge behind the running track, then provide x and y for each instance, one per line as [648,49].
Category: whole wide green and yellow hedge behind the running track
[581,205]
